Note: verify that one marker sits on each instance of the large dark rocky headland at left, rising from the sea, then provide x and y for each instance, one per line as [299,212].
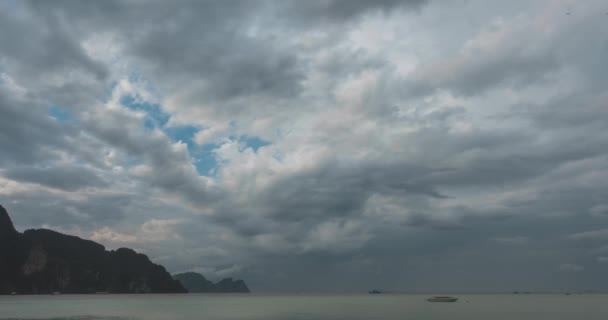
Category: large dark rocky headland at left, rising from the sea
[44,261]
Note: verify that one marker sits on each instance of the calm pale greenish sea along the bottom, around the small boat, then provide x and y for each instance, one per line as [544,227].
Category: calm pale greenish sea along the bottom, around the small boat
[303,307]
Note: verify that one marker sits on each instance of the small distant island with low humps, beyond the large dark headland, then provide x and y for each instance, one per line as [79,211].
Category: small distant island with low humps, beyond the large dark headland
[197,283]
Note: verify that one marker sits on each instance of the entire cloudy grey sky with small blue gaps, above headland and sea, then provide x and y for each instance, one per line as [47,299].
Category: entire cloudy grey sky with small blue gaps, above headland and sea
[327,145]
